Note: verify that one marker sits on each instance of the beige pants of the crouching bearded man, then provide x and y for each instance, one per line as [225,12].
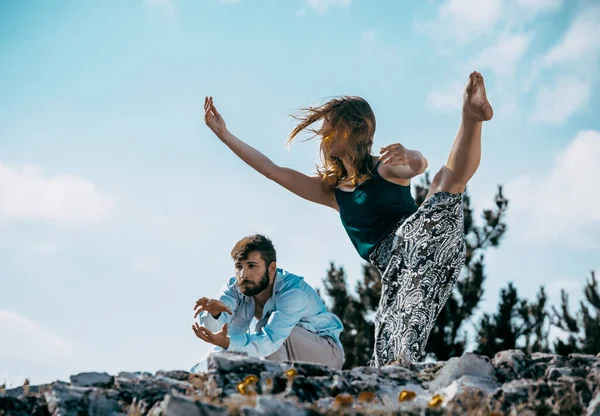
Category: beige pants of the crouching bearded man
[306,346]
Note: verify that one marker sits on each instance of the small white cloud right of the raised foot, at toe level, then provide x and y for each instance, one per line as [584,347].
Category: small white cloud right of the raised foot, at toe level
[557,103]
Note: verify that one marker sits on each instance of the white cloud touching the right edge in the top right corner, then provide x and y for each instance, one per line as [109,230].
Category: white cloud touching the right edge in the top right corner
[580,40]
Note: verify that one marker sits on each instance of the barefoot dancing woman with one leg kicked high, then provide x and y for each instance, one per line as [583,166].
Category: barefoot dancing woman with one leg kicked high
[418,251]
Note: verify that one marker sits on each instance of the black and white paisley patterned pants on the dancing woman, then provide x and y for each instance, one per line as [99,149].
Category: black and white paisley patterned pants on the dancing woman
[419,263]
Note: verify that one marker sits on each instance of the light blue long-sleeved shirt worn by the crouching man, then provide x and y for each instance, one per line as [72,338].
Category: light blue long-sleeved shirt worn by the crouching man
[293,303]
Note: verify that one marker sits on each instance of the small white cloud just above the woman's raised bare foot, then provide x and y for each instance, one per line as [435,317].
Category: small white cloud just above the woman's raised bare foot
[503,56]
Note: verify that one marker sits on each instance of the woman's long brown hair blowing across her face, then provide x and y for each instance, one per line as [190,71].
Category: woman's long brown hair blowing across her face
[351,117]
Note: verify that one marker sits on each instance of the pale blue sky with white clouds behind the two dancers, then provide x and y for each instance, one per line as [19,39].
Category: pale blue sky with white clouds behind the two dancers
[118,207]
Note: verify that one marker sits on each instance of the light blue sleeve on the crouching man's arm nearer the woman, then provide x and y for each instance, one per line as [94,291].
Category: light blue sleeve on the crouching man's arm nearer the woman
[289,310]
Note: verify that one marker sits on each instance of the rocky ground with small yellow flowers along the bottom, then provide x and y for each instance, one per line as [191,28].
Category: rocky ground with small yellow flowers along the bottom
[512,383]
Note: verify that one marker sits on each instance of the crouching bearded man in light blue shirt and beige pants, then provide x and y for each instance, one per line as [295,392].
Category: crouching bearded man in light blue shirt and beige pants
[292,322]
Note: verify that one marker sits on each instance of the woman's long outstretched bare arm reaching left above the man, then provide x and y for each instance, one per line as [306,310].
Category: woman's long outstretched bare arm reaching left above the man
[307,187]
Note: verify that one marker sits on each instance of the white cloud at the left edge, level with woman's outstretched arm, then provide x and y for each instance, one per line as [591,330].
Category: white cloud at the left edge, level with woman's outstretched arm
[26,193]
